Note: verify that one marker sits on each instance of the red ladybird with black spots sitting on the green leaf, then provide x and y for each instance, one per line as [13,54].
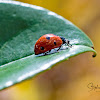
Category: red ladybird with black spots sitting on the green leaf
[48,42]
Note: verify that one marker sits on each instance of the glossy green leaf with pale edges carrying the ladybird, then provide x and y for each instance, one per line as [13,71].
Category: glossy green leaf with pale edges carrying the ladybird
[20,27]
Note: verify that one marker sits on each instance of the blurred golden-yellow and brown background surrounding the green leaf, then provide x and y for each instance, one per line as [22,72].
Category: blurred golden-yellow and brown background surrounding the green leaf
[69,80]
